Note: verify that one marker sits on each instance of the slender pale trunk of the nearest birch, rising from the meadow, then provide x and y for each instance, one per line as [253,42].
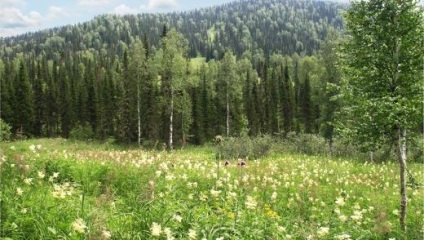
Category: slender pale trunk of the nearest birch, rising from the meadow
[402,165]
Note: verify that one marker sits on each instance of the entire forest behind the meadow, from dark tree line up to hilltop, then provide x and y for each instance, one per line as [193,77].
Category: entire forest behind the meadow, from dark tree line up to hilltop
[251,67]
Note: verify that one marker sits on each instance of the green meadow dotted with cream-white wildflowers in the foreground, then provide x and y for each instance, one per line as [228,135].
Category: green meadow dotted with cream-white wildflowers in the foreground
[59,189]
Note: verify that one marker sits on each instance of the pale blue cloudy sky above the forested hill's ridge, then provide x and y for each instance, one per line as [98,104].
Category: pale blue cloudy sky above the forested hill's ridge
[20,16]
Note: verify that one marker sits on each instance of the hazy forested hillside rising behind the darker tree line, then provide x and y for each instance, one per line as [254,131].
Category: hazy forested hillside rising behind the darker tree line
[271,26]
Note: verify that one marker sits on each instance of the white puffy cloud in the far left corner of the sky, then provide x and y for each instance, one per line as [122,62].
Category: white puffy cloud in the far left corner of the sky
[14,18]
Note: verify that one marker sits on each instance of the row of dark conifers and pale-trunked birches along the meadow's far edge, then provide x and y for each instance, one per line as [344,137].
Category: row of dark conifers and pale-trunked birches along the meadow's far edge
[161,94]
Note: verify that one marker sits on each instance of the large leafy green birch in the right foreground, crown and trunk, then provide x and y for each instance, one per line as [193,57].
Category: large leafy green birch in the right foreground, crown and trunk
[382,57]
